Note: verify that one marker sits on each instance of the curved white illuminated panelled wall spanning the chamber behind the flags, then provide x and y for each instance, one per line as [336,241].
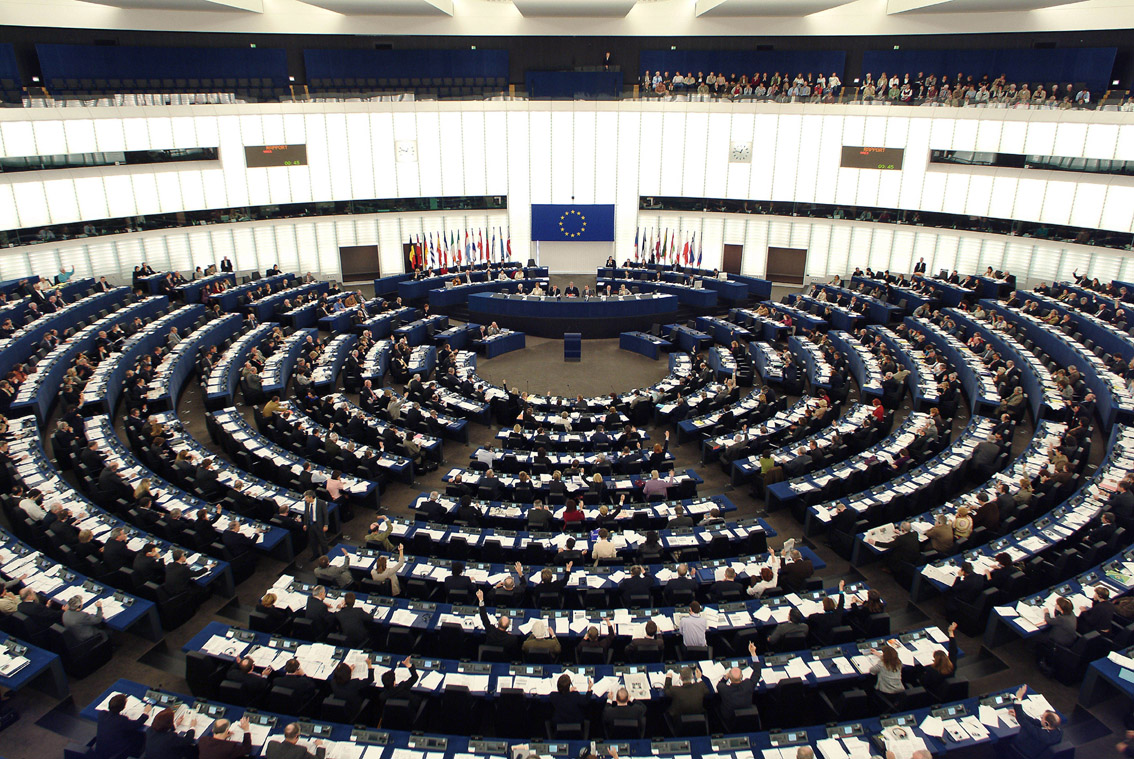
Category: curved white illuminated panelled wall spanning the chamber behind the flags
[605,154]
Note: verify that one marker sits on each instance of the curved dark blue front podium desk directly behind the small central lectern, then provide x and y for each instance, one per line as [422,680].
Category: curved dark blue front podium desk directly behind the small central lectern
[553,317]
